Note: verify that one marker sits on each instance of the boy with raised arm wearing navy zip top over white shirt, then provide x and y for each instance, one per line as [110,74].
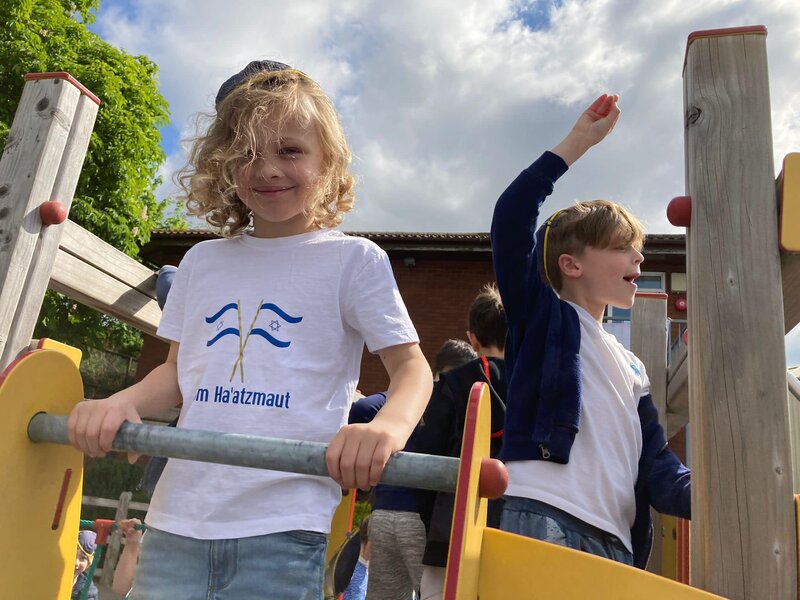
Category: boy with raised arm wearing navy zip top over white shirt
[585,453]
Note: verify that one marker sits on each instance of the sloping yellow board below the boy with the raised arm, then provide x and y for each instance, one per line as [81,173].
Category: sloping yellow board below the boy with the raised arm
[513,566]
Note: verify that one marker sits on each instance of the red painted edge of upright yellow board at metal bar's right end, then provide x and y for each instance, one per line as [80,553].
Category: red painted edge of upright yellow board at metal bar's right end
[460,508]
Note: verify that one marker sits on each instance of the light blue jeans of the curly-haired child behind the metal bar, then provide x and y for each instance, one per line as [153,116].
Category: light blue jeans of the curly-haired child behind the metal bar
[278,566]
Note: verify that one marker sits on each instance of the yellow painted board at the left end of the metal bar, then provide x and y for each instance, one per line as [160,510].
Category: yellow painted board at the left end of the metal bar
[38,550]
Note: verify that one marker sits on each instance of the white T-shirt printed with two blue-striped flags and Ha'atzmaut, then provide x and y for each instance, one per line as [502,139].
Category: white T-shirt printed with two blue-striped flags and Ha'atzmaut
[271,334]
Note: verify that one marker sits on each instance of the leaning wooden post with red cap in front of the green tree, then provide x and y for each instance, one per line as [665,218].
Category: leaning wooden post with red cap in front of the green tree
[42,160]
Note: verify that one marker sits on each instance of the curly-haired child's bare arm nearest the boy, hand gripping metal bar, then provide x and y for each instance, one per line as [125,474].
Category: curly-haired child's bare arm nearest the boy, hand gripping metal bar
[358,453]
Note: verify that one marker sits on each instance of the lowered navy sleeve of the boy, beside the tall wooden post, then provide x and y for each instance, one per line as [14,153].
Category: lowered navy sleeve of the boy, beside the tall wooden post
[668,482]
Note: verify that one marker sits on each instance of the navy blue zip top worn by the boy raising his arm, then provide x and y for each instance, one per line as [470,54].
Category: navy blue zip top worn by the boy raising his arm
[543,366]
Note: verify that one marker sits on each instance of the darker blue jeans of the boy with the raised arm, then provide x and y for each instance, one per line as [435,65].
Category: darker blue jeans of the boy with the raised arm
[541,521]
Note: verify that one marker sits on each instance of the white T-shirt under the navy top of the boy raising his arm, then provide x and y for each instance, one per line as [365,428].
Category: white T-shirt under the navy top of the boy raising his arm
[597,484]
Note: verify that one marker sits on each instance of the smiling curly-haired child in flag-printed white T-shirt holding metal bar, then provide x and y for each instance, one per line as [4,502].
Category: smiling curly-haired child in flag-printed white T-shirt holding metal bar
[267,327]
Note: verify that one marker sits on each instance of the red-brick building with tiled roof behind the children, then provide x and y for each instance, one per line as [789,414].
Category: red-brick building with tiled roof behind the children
[438,275]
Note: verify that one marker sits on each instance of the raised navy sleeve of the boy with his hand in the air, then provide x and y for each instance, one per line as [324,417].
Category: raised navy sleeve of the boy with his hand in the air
[513,228]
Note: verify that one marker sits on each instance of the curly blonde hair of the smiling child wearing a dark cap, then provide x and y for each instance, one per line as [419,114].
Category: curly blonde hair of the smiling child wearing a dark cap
[265,101]
